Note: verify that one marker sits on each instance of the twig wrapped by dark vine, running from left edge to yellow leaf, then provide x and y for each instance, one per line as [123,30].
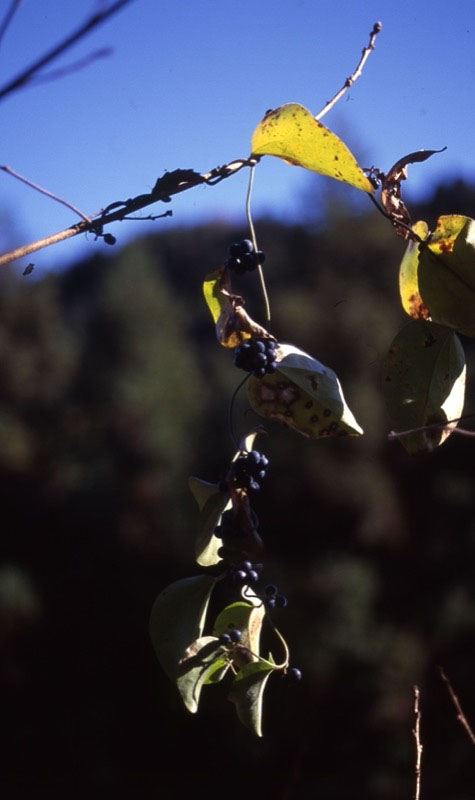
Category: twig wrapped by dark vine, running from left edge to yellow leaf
[169,184]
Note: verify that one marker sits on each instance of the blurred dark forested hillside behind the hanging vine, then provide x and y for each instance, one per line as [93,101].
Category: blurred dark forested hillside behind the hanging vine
[112,392]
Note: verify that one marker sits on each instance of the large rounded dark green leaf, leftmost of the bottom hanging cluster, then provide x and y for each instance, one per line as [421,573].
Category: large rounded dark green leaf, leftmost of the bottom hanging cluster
[177,618]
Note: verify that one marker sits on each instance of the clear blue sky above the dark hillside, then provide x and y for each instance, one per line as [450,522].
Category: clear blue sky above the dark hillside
[188,81]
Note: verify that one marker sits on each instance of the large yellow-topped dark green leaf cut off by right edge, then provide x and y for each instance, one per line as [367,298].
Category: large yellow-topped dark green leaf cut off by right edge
[447,273]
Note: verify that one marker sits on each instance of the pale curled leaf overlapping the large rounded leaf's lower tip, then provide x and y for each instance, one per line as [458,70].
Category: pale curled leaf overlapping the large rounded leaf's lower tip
[198,662]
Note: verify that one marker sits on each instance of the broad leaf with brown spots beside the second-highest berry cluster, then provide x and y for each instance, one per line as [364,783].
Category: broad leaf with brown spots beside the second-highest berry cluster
[304,395]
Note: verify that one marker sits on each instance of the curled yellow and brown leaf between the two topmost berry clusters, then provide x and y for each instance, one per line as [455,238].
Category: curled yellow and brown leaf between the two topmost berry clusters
[233,324]
